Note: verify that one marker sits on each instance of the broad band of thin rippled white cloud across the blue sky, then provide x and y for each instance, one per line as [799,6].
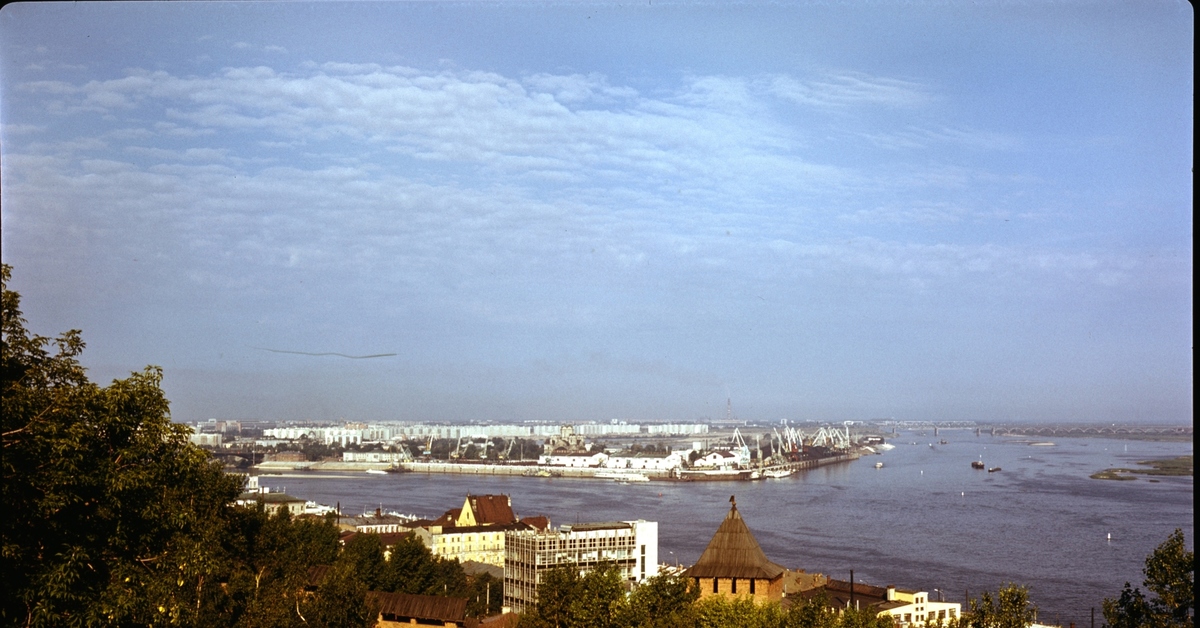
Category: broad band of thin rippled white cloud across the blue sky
[428,180]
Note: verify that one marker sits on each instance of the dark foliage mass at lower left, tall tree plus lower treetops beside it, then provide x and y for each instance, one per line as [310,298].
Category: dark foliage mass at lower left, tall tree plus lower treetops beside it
[112,517]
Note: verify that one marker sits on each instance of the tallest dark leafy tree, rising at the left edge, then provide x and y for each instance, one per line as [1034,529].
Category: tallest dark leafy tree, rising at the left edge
[103,494]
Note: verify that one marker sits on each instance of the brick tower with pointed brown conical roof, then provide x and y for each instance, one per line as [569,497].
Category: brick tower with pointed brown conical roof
[735,565]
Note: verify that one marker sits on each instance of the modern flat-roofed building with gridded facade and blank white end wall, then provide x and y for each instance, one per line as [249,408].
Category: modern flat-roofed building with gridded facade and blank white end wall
[633,547]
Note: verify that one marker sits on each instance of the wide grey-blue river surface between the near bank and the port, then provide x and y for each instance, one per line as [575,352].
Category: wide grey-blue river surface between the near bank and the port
[926,521]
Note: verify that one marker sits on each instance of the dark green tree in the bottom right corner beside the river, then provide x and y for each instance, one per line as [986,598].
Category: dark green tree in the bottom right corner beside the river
[1171,577]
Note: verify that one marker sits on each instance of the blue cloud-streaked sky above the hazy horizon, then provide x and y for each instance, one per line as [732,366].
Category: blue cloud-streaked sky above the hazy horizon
[574,212]
